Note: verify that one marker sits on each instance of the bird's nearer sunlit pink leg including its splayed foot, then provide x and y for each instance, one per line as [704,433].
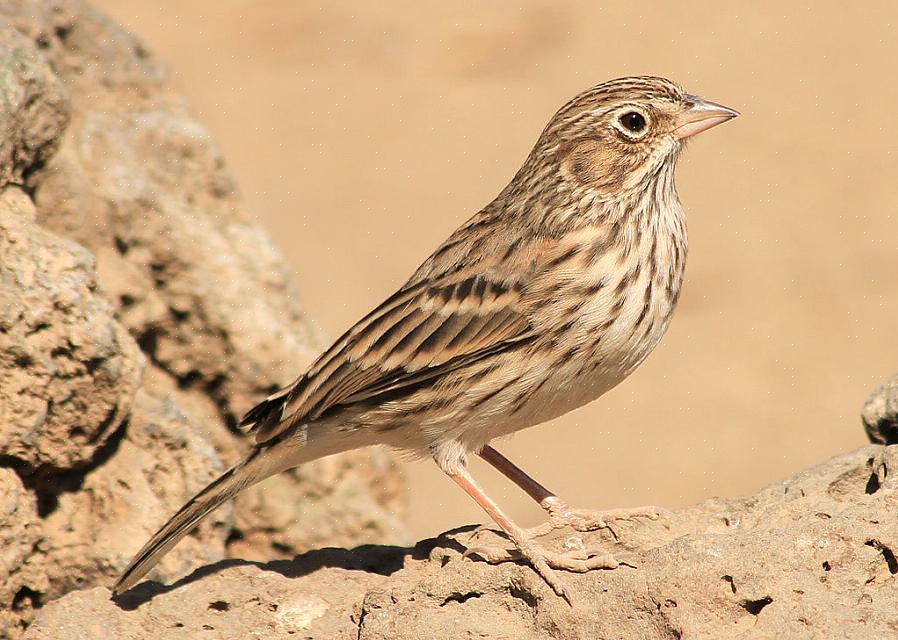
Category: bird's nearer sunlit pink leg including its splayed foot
[541,559]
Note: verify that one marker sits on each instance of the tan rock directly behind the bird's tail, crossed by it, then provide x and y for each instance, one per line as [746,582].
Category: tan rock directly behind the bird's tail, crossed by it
[91,532]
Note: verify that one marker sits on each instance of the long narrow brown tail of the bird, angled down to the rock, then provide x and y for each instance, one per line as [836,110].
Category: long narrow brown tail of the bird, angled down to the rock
[256,467]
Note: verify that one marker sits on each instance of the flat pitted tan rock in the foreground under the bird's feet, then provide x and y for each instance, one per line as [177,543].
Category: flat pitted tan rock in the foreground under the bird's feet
[810,557]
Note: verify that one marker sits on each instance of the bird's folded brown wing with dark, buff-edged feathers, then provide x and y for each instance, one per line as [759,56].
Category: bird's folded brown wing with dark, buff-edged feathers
[420,333]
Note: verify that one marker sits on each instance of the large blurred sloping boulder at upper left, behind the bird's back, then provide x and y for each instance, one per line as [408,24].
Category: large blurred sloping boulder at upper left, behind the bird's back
[139,181]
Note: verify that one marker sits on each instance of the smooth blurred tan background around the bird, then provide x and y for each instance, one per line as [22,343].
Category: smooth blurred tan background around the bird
[363,133]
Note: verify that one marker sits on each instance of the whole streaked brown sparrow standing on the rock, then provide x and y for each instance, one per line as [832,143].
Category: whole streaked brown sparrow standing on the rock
[544,300]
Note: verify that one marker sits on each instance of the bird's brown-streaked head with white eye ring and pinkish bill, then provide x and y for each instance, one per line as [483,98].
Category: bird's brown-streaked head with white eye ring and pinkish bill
[619,135]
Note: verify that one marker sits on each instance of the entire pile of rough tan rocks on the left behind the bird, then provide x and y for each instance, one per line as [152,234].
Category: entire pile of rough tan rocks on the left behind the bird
[141,312]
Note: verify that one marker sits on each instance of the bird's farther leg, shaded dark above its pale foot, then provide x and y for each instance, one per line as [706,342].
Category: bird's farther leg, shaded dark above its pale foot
[560,513]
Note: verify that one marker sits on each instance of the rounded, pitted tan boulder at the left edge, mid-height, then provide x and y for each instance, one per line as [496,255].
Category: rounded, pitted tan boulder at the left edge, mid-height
[68,370]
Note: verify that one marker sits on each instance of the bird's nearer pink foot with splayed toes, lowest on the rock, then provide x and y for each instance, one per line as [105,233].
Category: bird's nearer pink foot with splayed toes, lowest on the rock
[545,561]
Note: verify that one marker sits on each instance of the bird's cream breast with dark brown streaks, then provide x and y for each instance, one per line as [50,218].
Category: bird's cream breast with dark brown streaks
[611,310]
